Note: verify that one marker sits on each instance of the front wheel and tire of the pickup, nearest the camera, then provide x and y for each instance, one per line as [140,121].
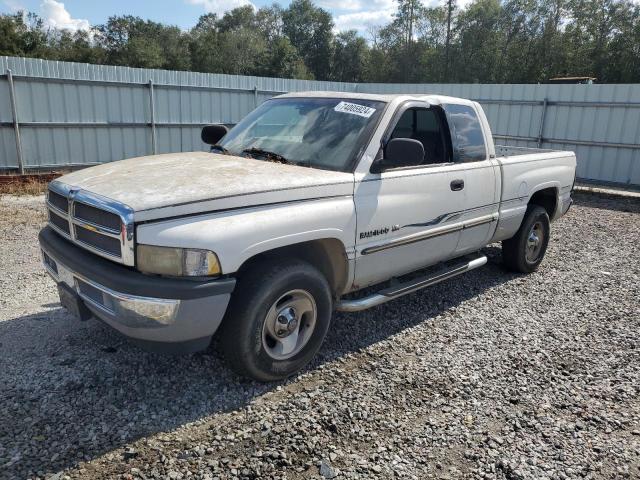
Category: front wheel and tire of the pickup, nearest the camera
[255,340]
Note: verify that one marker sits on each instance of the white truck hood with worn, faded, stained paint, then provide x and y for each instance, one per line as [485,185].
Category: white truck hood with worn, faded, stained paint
[162,186]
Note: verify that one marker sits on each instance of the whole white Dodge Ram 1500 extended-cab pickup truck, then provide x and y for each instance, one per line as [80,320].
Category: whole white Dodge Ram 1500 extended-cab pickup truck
[310,198]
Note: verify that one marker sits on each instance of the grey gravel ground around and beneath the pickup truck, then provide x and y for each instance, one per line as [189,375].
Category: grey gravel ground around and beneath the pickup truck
[491,375]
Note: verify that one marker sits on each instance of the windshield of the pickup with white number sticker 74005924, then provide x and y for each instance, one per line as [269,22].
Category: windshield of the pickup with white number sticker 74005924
[323,133]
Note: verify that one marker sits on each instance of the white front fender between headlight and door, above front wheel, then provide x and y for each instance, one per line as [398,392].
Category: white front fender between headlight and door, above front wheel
[239,234]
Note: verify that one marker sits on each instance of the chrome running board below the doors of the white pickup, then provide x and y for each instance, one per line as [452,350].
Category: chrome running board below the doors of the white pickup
[397,291]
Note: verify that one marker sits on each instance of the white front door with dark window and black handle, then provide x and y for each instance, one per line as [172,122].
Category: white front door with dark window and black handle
[406,217]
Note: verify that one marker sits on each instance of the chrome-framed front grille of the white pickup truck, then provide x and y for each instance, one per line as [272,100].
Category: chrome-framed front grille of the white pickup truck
[95,223]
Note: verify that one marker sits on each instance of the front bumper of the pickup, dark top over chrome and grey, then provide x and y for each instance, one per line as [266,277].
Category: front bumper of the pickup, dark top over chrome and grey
[160,314]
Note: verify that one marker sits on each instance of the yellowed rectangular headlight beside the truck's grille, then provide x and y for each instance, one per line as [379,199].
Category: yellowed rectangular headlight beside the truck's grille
[177,262]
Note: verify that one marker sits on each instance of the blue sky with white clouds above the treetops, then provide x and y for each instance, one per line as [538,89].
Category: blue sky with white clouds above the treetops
[80,14]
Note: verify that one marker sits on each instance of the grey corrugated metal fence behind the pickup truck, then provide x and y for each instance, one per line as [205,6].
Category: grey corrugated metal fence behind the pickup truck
[58,114]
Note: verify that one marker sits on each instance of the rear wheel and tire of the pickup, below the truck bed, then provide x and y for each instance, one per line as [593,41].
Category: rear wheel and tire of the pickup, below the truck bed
[525,250]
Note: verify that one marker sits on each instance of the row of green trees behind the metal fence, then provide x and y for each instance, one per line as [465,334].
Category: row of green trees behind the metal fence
[490,41]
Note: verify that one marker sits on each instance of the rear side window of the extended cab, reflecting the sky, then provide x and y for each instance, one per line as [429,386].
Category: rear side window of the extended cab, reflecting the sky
[466,134]
